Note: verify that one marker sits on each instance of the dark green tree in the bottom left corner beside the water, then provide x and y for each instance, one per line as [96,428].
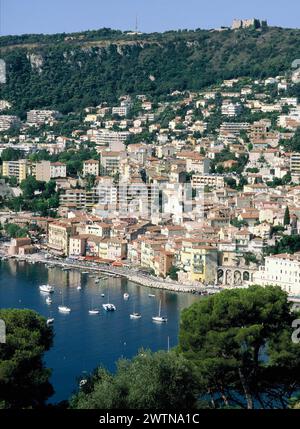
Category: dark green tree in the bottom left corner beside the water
[24,381]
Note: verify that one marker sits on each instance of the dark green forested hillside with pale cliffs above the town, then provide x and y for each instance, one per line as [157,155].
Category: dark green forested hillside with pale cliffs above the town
[68,72]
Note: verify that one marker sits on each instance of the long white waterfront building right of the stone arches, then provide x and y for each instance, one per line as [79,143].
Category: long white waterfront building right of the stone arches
[280,270]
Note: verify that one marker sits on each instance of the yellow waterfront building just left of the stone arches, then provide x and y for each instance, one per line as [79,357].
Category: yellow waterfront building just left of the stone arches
[198,262]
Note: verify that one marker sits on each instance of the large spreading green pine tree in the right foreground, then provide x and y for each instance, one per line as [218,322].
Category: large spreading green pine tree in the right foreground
[240,341]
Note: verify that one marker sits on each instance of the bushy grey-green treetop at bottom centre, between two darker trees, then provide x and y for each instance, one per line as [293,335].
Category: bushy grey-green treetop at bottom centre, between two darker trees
[149,381]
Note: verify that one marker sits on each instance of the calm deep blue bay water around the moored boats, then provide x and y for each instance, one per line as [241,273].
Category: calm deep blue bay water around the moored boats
[83,342]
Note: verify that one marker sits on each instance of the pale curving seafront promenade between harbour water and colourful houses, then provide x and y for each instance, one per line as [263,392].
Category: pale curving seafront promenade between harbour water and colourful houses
[132,274]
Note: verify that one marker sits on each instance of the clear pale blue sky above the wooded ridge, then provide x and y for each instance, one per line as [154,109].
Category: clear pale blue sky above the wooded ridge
[52,16]
